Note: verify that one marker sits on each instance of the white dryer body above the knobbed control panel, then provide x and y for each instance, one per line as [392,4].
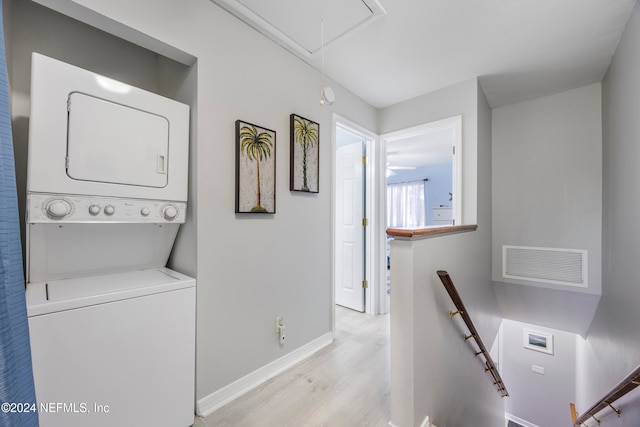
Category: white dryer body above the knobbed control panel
[92,135]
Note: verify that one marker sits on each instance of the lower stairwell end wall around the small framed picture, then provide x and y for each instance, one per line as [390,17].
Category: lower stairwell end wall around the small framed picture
[539,399]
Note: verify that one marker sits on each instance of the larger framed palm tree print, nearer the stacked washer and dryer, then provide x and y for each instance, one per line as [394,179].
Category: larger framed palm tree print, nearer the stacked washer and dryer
[255,169]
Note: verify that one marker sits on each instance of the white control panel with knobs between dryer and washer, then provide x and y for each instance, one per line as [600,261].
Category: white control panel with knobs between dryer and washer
[70,208]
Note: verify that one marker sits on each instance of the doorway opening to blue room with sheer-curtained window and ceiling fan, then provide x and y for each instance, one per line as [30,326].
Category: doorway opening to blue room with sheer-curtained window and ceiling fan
[422,186]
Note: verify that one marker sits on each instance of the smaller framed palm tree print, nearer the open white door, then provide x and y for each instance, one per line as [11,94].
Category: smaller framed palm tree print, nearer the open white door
[305,155]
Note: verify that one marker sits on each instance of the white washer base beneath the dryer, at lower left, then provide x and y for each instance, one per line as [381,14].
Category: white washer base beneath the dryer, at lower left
[114,350]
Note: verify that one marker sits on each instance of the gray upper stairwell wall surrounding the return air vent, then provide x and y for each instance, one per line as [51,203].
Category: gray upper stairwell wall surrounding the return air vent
[547,163]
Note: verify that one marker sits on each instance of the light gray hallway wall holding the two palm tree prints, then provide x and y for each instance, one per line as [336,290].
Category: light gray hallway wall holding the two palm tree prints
[250,269]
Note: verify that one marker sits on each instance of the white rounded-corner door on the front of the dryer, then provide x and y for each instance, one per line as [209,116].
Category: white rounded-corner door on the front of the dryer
[113,143]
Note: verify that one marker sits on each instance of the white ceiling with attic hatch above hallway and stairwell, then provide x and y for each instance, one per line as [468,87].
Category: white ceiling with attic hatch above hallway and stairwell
[388,51]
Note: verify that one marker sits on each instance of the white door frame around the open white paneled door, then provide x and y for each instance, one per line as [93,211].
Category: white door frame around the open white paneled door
[372,239]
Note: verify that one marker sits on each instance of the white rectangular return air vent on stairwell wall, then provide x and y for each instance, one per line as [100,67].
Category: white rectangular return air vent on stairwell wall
[548,265]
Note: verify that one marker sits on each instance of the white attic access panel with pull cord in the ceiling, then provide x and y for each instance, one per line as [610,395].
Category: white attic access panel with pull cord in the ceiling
[297,23]
